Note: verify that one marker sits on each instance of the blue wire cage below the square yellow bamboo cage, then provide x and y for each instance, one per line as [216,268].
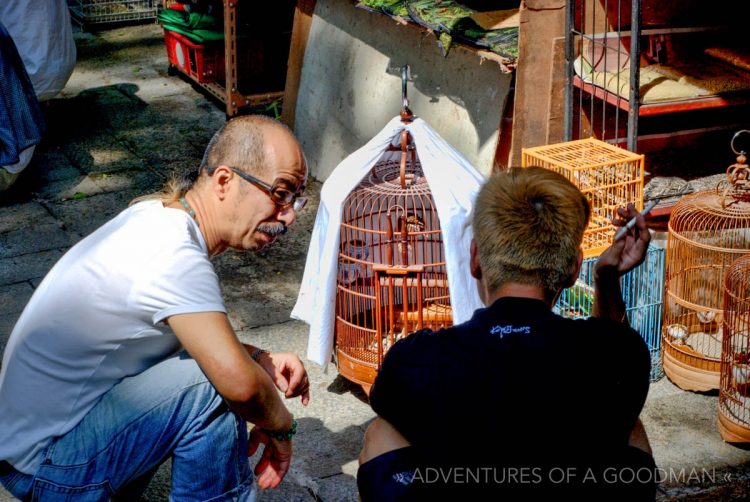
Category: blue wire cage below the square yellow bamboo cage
[642,292]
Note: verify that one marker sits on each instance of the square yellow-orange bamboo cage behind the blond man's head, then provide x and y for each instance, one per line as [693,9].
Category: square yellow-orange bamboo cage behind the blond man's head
[608,176]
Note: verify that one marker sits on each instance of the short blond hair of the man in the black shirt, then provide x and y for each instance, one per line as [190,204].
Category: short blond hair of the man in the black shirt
[528,227]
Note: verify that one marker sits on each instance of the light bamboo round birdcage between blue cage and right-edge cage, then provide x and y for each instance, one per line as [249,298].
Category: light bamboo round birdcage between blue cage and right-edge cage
[708,230]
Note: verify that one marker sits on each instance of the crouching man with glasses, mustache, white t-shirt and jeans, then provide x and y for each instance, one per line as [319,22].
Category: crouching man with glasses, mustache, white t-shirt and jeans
[124,356]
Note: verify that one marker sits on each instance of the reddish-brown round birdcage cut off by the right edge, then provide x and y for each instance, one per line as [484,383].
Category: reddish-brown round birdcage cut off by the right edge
[734,393]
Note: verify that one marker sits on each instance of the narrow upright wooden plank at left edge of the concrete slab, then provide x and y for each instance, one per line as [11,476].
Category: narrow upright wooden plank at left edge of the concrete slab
[303,14]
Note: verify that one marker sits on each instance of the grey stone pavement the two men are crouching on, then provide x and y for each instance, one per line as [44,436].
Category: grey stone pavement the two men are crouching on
[120,127]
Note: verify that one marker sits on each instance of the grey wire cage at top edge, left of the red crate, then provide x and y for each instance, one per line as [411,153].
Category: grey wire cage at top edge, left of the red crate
[109,11]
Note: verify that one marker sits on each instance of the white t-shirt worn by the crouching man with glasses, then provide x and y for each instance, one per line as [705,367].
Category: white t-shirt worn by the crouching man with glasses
[97,318]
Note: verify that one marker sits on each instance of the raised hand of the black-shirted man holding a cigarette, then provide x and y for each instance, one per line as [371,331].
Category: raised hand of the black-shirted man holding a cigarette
[628,252]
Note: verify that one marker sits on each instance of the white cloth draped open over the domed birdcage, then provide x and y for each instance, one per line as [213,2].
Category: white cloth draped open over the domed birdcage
[454,183]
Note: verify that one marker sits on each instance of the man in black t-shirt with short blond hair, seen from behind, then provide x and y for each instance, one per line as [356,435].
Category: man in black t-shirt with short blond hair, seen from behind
[519,400]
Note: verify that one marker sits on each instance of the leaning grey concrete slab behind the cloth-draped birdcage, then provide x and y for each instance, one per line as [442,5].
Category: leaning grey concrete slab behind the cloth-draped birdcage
[350,87]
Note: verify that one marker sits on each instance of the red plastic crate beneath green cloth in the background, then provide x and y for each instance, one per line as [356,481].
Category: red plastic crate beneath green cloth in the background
[202,62]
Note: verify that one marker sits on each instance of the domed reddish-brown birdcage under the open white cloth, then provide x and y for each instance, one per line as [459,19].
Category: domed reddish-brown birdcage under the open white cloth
[392,278]
